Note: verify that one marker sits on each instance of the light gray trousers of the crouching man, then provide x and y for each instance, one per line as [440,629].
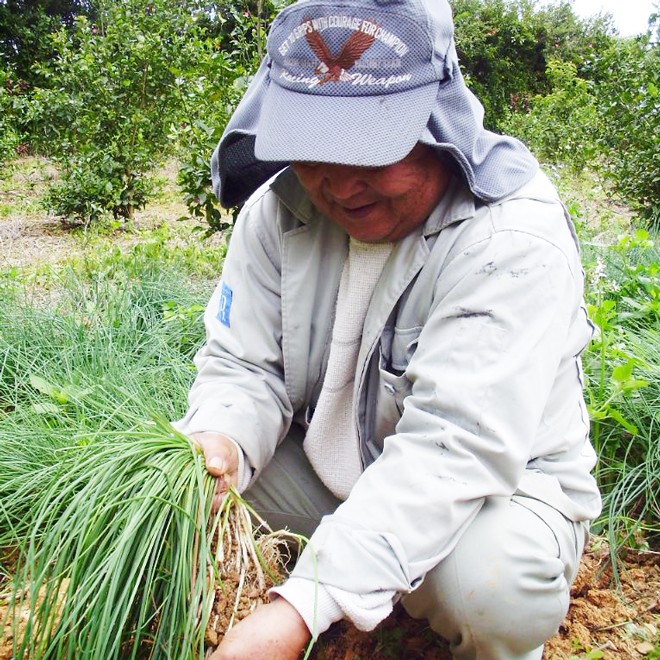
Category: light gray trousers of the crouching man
[500,594]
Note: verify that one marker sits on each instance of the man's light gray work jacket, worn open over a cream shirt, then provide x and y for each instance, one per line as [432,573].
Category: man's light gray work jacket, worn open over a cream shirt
[468,382]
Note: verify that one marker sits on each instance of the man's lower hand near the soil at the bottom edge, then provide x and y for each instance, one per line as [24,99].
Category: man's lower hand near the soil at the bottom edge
[272,632]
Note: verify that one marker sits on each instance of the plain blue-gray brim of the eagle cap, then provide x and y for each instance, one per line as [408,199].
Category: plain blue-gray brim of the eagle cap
[366,131]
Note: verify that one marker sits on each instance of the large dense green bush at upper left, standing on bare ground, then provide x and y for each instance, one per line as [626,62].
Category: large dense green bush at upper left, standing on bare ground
[106,115]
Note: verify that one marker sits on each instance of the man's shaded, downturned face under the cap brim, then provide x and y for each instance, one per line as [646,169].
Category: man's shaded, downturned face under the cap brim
[377,204]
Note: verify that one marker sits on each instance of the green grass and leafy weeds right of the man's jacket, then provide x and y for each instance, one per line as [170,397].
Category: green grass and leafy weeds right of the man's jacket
[623,387]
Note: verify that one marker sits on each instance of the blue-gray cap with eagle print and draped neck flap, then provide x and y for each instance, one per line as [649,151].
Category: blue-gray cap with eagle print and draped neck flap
[360,82]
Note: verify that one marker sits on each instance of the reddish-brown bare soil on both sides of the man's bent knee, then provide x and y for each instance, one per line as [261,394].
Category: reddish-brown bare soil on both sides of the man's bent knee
[602,622]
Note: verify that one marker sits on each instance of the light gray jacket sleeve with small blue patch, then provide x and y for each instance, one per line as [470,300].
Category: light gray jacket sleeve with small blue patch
[239,389]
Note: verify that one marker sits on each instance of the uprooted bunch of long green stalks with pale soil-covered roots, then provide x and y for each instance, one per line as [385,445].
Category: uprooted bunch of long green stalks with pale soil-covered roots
[123,560]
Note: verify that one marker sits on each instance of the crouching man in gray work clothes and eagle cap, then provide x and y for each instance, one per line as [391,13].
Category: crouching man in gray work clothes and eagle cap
[392,357]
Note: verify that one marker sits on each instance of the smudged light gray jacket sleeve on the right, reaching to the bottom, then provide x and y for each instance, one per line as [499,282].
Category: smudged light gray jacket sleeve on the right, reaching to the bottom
[481,375]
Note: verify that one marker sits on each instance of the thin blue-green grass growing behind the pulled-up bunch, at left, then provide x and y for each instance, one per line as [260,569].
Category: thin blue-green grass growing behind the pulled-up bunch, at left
[95,358]
